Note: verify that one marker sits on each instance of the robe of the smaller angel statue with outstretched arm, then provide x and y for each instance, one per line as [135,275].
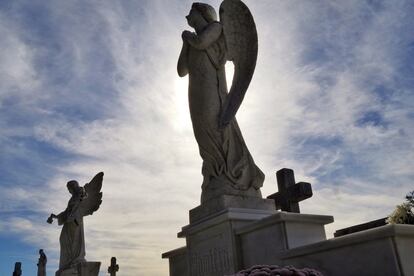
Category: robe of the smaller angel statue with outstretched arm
[72,238]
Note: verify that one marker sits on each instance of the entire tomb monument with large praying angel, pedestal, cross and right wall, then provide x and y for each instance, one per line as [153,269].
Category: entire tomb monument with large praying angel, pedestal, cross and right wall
[234,228]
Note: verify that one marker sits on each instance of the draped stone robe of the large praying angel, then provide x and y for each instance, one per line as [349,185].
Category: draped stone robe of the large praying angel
[228,168]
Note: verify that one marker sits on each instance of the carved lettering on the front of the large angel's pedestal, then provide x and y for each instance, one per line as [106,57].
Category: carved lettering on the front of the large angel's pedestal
[216,260]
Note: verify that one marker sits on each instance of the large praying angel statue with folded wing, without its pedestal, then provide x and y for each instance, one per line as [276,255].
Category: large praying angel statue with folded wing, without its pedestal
[228,168]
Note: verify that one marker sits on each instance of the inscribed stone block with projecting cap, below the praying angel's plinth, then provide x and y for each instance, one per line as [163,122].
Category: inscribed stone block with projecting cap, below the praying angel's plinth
[212,247]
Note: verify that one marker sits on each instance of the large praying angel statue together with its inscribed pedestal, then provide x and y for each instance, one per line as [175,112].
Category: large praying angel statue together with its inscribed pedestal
[230,195]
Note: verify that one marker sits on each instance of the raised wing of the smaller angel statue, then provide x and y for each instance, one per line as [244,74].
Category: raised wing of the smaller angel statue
[94,195]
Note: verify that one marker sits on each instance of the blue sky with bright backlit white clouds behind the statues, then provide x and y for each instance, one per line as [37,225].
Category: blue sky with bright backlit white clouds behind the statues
[90,86]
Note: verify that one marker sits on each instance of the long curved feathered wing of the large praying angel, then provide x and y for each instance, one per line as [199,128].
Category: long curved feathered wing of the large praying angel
[241,38]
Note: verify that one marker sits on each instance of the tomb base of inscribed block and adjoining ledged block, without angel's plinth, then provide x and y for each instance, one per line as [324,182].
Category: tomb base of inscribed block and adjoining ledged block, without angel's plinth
[237,238]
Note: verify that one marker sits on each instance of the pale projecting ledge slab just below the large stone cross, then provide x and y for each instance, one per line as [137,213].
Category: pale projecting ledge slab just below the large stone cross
[285,216]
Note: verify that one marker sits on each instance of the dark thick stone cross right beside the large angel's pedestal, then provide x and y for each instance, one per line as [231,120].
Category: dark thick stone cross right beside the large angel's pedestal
[290,193]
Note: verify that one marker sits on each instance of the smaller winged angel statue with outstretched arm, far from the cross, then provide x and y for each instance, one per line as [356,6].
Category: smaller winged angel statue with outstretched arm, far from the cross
[84,201]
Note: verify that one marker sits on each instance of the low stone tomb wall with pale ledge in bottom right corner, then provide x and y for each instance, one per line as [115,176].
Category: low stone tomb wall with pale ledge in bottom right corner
[385,250]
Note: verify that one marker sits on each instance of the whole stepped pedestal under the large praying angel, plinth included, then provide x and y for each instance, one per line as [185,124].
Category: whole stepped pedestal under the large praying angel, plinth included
[212,247]
